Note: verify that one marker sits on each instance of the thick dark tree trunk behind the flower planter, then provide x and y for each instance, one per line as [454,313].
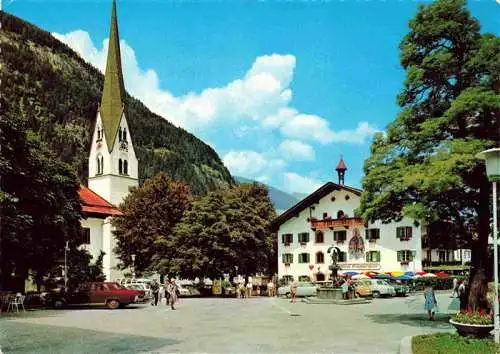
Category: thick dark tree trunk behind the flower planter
[480,267]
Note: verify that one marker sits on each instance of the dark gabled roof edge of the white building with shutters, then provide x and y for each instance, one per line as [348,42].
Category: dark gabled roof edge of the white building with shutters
[311,199]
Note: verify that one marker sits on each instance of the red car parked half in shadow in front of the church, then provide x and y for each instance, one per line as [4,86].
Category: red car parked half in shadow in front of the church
[109,294]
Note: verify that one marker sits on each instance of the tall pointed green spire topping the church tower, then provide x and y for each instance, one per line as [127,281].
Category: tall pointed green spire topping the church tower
[113,93]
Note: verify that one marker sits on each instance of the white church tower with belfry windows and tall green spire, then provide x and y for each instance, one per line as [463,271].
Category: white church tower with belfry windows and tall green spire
[113,166]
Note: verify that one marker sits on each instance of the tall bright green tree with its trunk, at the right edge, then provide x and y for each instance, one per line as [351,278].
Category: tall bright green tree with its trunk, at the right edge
[425,166]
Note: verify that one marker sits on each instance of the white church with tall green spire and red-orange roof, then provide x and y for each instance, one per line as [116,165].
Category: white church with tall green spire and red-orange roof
[113,165]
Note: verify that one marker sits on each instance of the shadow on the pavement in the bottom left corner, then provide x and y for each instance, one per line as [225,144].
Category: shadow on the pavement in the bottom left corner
[32,338]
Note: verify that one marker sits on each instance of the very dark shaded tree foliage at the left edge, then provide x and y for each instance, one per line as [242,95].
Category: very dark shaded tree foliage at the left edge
[39,200]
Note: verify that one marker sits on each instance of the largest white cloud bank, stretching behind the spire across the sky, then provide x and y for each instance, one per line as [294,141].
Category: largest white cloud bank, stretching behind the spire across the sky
[263,96]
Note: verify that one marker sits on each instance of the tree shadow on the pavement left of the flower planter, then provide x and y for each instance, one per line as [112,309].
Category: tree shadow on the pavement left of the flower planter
[415,320]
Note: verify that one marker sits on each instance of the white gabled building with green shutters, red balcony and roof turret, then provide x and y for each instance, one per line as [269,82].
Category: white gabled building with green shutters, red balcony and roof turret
[326,218]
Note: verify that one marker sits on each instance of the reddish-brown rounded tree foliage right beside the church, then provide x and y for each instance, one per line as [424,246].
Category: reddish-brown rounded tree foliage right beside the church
[149,215]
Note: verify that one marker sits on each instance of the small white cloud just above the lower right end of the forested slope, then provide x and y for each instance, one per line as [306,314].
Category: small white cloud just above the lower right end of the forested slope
[251,164]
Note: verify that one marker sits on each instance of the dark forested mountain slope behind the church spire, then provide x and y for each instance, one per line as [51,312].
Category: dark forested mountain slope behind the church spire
[58,93]
